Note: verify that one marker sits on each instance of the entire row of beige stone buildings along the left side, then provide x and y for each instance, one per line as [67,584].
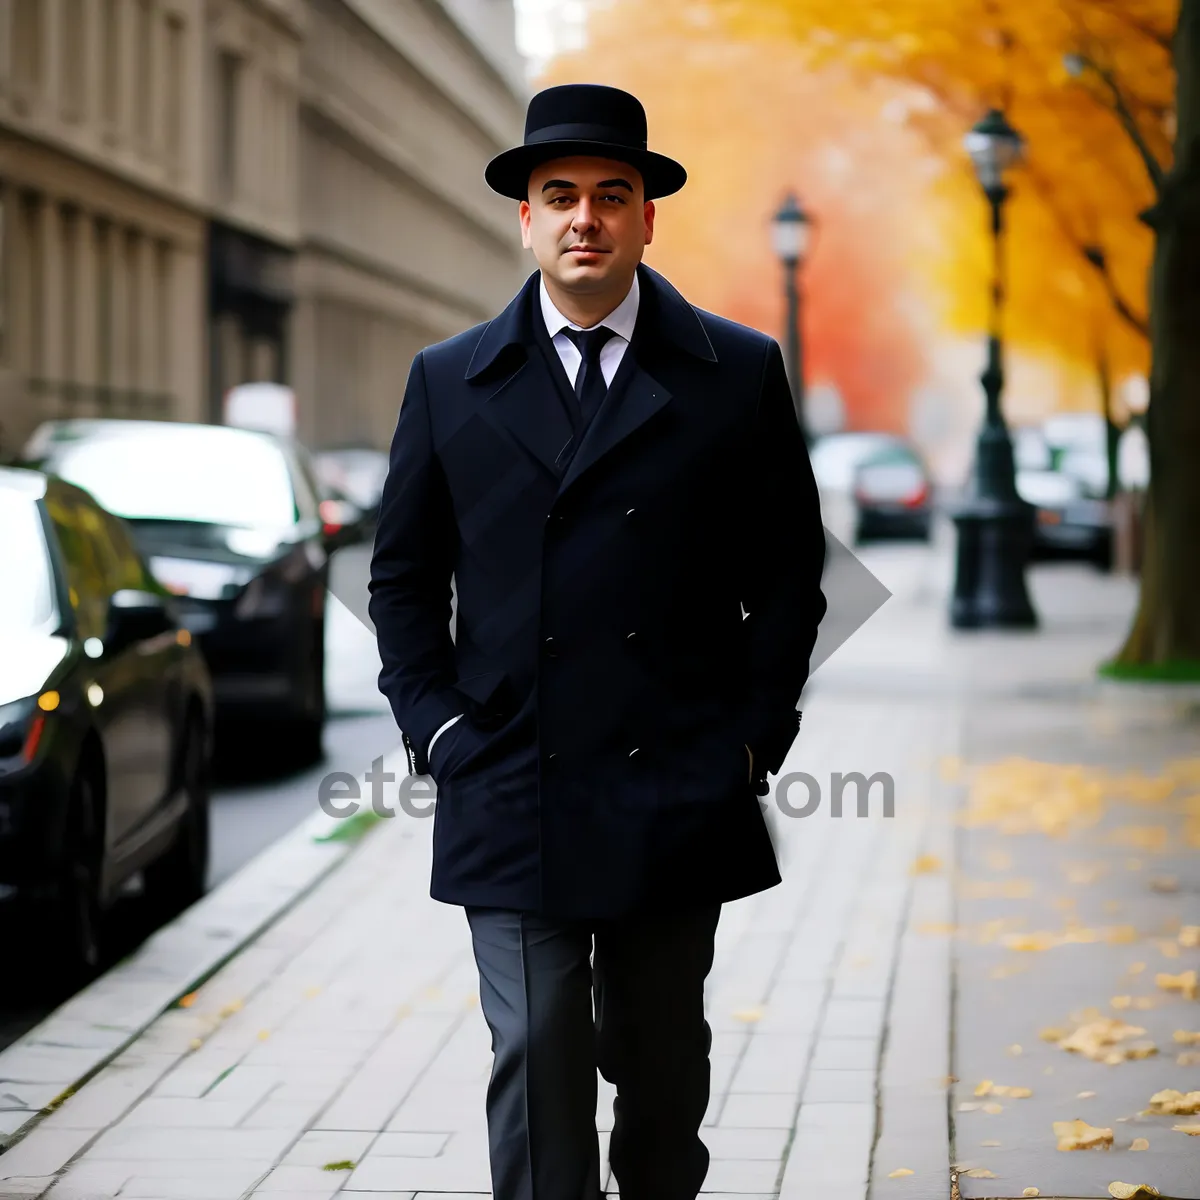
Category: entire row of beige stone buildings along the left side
[201,193]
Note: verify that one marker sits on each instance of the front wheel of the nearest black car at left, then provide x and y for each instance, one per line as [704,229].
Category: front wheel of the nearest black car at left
[76,919]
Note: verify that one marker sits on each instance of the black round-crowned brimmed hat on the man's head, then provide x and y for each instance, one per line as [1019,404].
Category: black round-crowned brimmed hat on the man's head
[584,119]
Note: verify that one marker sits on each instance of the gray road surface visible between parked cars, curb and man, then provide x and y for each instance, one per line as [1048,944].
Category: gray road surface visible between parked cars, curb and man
[255,802]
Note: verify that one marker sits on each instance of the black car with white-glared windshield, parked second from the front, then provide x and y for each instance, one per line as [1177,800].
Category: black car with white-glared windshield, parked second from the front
[230,520]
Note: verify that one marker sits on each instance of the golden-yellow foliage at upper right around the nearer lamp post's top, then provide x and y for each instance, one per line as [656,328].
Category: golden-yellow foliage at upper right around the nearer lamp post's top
[1094,136]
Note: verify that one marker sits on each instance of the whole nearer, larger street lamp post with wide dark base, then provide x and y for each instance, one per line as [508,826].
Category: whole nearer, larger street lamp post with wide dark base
[995,526]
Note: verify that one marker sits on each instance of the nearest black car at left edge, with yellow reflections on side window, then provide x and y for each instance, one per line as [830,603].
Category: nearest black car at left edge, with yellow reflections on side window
[106,718]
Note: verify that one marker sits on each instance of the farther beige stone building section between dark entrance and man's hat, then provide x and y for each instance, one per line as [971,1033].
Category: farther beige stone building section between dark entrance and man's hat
[403,244]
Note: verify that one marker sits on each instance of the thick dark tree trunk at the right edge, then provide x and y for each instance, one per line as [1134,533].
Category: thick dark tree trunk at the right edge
[1167,628]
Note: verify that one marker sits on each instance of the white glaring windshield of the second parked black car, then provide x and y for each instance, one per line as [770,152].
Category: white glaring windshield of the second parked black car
[202,473]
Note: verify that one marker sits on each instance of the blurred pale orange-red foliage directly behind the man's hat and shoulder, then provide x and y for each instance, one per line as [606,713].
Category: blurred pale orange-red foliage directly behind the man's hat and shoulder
[749,125]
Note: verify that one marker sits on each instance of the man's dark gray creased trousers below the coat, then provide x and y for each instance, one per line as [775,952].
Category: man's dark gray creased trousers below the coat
[647,1035]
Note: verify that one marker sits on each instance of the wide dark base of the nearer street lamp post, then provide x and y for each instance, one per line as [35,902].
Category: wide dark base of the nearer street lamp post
[995,541]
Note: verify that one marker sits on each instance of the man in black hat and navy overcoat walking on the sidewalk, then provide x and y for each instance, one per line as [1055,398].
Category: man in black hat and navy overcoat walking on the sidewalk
[613,478]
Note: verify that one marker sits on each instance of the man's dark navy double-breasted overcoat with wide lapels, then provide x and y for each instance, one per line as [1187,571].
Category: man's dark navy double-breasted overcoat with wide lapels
[637,603]
